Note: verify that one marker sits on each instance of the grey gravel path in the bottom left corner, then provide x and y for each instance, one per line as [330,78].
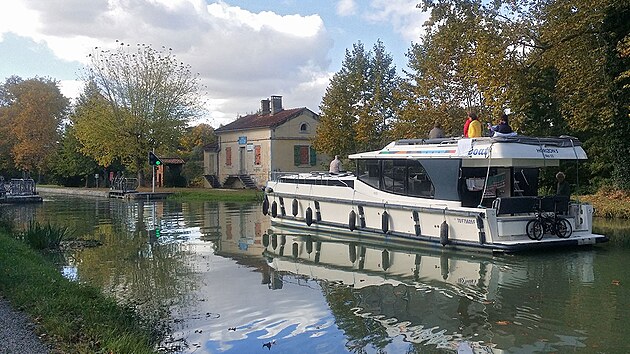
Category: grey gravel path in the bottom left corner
[17,332]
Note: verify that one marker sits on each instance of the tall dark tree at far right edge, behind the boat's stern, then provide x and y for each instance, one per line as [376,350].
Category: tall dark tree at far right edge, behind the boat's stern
[583,43]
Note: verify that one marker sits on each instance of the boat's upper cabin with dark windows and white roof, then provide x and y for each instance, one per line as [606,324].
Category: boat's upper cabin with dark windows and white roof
[476,172]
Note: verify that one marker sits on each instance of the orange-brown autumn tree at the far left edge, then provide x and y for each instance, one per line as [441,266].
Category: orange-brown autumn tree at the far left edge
[32,112]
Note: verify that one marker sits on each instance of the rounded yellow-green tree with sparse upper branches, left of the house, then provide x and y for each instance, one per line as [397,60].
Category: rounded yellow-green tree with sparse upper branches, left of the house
[138,100]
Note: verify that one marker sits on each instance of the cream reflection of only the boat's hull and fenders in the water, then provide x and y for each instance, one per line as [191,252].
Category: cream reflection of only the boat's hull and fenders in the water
[362,264]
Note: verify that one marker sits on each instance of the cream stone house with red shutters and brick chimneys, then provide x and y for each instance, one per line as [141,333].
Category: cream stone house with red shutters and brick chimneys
[251,148]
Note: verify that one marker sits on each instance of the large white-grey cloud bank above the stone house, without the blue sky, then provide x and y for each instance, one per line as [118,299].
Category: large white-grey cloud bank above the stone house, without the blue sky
[242,57]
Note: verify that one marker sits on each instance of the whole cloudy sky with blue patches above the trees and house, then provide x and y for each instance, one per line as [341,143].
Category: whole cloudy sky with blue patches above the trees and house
[244,50]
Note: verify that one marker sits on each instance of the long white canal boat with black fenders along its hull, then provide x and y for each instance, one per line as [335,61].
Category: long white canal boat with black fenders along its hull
[479,193]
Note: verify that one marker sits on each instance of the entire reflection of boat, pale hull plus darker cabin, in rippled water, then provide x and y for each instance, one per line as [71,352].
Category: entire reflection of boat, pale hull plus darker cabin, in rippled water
[423,295]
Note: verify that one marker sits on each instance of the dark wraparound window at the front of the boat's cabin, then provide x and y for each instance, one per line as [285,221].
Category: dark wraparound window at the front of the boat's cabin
[405,177]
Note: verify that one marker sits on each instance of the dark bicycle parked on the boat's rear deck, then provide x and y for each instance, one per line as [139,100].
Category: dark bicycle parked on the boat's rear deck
[549,222]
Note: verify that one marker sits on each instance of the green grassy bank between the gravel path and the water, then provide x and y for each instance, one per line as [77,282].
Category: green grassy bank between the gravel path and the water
[74,318]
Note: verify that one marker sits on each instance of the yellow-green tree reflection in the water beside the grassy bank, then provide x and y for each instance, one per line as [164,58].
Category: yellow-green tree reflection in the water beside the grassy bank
[151,277]
